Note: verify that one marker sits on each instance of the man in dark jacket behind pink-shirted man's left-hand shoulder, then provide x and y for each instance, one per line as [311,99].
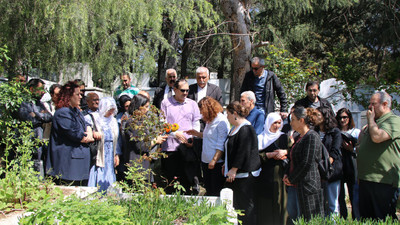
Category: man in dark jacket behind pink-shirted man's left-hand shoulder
[166,90]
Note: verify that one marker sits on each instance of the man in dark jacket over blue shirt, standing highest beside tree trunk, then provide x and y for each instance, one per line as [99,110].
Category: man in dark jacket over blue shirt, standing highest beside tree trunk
[265,84]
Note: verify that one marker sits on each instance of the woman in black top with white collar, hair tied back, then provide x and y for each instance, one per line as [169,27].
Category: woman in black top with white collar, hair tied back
[242,163]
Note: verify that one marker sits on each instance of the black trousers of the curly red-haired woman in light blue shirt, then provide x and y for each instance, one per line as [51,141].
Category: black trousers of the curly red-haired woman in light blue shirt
[213,179]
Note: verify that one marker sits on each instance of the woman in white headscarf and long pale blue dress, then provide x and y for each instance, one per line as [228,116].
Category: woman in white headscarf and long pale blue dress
[102,172]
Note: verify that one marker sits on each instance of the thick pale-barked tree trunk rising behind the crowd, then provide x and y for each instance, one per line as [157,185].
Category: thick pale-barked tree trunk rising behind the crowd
[238,13]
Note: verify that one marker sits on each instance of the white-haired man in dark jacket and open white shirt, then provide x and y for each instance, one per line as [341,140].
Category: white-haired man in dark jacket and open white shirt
[202,88]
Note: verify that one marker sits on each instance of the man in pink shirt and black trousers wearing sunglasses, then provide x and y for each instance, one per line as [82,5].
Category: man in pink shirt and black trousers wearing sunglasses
[180,164]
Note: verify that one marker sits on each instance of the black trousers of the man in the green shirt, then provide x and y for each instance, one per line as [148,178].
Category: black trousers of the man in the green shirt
[377,200]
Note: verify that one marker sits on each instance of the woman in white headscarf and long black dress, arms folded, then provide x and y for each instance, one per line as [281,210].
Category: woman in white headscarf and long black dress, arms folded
[270,189]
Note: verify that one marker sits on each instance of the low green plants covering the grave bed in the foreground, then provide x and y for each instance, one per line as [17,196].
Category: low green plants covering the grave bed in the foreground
[140,209]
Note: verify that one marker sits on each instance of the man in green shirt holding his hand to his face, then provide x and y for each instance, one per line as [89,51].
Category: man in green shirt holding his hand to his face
[378,160]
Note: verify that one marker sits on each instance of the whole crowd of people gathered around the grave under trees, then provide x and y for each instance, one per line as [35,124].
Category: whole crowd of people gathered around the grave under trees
[269,157]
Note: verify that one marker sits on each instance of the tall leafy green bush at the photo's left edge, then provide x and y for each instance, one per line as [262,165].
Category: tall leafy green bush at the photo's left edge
[20,184]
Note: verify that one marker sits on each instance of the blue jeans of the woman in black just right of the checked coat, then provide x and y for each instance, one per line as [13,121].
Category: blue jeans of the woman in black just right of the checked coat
[332,191]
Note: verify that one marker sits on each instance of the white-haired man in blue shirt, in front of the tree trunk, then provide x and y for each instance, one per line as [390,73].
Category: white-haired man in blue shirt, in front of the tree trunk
[256,117]
